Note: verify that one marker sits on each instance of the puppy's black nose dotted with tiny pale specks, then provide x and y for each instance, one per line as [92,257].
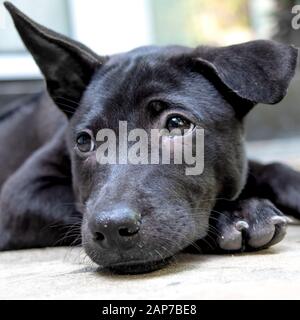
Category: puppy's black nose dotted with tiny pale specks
[117,228]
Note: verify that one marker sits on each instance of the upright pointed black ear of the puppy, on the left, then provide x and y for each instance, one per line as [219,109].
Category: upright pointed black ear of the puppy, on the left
[67,65]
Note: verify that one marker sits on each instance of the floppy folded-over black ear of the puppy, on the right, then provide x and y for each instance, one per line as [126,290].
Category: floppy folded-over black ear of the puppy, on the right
[256,72]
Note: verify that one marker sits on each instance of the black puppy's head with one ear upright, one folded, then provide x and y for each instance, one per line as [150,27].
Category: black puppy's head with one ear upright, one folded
[137,216]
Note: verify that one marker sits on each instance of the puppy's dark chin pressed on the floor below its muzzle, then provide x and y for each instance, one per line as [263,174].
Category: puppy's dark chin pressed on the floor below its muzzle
[131,268]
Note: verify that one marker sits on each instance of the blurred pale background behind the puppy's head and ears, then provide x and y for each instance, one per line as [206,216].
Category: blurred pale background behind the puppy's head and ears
[110,26]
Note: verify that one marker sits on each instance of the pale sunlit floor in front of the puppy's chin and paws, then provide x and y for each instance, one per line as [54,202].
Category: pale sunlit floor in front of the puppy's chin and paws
[65,274]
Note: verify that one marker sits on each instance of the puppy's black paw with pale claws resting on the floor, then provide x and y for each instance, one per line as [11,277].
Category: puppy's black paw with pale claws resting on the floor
[251,225]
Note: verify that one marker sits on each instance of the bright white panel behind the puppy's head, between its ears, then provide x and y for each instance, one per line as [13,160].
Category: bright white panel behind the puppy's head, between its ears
[111,26]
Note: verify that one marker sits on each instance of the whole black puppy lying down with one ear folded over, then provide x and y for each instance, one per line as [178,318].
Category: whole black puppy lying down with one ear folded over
[134,218]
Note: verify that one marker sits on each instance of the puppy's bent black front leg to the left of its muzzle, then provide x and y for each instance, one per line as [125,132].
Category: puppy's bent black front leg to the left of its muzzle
[37,204]
